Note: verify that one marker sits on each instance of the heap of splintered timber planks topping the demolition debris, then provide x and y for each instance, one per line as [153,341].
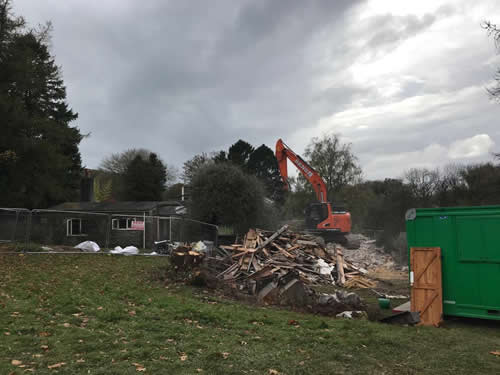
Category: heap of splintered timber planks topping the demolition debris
[264,254]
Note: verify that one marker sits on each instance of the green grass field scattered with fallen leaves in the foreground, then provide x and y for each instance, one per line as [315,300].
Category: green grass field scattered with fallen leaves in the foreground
[88,314]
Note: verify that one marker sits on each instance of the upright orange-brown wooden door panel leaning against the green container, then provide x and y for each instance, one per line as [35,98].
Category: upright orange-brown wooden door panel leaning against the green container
[426,287]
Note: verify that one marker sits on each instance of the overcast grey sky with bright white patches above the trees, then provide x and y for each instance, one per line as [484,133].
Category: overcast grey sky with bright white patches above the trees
[403,81]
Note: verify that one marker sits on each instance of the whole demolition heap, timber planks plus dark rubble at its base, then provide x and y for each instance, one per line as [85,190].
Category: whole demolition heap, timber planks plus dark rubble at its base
[280,267]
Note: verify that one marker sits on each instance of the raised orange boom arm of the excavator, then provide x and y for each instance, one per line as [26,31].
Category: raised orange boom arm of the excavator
[283,152]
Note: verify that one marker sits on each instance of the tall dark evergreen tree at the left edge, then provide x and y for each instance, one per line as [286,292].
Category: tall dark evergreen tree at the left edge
[40,162]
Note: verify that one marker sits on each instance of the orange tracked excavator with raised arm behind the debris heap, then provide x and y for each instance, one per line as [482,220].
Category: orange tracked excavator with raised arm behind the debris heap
[321,217]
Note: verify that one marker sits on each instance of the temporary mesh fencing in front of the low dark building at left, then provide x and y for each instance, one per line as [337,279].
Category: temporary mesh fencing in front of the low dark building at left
[23,229]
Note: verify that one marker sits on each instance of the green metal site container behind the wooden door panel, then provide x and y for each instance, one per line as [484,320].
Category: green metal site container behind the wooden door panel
[469,238]
